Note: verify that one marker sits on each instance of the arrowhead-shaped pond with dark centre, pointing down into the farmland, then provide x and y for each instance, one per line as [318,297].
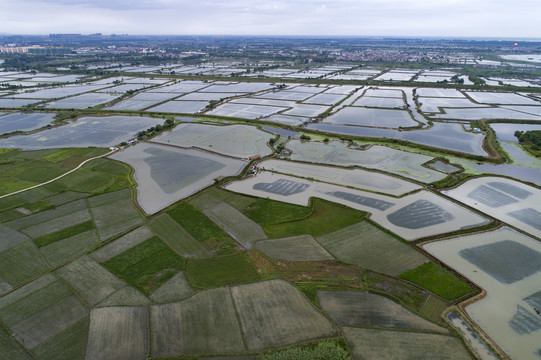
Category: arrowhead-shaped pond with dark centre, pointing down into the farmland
[166,174]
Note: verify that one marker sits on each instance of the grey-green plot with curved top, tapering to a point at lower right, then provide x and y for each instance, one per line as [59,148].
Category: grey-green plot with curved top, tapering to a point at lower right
[358,308]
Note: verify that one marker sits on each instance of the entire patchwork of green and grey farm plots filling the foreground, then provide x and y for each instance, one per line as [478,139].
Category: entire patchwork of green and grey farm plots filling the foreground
[214,275]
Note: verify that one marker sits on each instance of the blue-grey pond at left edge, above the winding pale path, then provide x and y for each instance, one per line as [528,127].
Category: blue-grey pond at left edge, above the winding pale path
[85,132]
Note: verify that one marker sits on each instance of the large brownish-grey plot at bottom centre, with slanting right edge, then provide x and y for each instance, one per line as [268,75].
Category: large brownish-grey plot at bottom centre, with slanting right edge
[275,314]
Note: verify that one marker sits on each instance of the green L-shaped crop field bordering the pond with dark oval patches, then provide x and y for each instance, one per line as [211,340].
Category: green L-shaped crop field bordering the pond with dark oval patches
[325,218]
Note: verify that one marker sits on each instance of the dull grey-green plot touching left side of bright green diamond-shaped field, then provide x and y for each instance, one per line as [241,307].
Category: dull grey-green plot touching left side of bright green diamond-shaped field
[98,285]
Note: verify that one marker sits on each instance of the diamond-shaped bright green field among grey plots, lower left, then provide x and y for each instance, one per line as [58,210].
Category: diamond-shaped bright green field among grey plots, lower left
[147,265]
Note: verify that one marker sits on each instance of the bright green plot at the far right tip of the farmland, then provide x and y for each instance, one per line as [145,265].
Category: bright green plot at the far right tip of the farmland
[438,280]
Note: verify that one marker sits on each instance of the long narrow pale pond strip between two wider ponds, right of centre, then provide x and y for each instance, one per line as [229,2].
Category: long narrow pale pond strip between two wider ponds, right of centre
[357,178]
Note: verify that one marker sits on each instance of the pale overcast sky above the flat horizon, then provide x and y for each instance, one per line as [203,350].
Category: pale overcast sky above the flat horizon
[462,18]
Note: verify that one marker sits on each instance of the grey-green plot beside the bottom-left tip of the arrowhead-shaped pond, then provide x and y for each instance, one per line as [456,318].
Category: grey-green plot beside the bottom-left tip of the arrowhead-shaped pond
[125,218]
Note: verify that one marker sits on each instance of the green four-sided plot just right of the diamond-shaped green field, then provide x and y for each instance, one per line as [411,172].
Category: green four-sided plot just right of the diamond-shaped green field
[226,270]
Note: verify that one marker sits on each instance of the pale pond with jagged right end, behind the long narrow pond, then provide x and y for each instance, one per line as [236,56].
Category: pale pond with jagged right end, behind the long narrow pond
[383,158]
